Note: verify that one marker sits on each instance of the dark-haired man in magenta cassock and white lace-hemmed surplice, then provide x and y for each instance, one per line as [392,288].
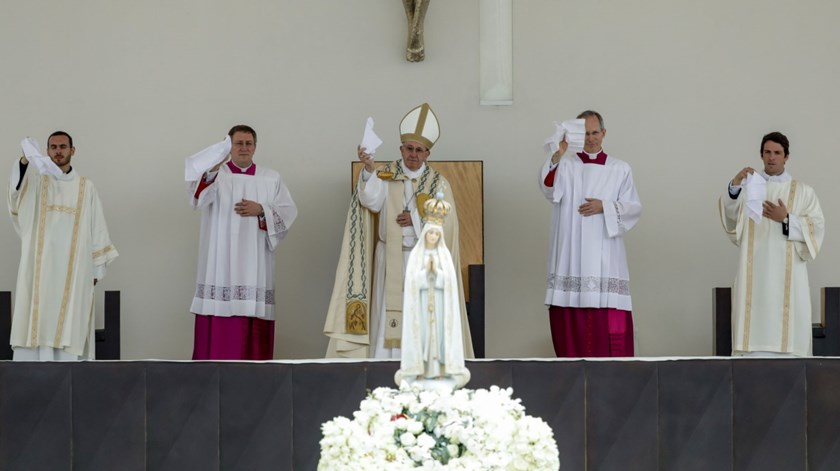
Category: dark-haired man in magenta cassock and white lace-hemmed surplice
[245,211]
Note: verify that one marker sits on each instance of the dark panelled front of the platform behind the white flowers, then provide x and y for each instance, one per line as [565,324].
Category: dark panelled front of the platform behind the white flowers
[701,414]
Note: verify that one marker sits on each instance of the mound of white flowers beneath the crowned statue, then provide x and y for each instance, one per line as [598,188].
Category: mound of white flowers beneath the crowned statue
[412,428]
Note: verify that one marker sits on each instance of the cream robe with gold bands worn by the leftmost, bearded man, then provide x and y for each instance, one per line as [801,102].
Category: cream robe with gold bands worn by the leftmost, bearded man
[65,245]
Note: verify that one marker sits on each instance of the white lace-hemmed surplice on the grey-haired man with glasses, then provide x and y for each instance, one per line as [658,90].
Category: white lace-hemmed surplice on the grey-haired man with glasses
[587,264]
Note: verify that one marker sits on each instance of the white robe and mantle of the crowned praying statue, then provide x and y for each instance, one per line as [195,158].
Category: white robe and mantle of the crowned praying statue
[431,336]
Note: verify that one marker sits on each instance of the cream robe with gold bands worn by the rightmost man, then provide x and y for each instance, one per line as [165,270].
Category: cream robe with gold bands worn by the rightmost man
[771,298]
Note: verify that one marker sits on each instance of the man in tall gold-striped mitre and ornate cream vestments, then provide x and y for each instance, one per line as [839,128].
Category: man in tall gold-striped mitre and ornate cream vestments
[365,314]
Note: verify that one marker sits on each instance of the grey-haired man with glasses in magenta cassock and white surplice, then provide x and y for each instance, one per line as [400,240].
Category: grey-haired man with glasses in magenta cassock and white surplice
[594,204]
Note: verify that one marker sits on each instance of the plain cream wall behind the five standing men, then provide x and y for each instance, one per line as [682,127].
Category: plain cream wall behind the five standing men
[687,90]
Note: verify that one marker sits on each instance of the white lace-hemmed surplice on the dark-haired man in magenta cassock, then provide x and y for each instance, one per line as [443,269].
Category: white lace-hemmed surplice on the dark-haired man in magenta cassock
[236,257]
